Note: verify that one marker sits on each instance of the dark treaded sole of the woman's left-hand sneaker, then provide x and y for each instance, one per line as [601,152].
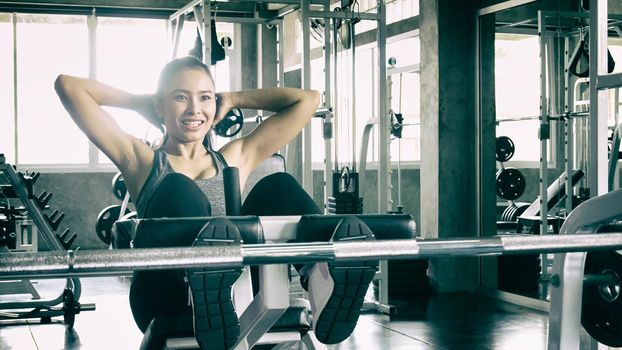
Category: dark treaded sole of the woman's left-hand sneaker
[216,324]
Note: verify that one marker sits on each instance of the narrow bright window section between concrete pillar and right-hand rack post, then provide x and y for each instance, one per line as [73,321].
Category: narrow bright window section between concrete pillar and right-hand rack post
[517,89]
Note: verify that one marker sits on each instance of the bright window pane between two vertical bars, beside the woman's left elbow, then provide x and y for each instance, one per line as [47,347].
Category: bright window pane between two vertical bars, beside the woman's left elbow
[40,115]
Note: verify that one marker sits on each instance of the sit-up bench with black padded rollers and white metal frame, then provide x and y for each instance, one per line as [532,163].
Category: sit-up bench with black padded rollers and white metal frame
[266,317]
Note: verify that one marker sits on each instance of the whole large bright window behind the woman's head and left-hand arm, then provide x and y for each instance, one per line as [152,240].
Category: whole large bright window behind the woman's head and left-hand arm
[128,53]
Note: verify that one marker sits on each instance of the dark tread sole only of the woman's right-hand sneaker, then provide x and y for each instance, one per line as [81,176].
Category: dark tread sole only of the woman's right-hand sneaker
[351,281]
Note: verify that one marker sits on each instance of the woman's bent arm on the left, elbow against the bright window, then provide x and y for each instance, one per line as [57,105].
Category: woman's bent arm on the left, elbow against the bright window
[84,98]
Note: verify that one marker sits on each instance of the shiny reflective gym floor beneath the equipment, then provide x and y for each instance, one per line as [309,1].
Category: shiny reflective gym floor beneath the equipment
[448,321]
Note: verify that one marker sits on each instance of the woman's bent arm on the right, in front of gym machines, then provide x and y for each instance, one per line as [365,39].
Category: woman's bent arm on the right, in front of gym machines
[293,109]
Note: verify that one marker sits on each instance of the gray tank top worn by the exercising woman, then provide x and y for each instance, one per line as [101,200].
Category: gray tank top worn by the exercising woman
[213,187]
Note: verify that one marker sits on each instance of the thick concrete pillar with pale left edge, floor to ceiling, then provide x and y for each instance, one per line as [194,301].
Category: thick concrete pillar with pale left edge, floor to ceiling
[449,143]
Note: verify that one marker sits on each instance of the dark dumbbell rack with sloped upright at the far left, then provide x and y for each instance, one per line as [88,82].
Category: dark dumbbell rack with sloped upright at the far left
[66,304]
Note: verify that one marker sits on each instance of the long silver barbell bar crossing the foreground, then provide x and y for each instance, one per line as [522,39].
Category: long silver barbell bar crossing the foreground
[83,263]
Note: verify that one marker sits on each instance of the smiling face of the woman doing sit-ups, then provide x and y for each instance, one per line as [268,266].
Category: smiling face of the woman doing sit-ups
[188,105]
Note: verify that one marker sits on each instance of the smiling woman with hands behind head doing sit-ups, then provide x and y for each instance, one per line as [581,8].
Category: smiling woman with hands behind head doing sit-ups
[174,180]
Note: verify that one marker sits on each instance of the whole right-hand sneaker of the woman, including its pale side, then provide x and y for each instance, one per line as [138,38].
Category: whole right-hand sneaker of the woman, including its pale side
[337,289]
